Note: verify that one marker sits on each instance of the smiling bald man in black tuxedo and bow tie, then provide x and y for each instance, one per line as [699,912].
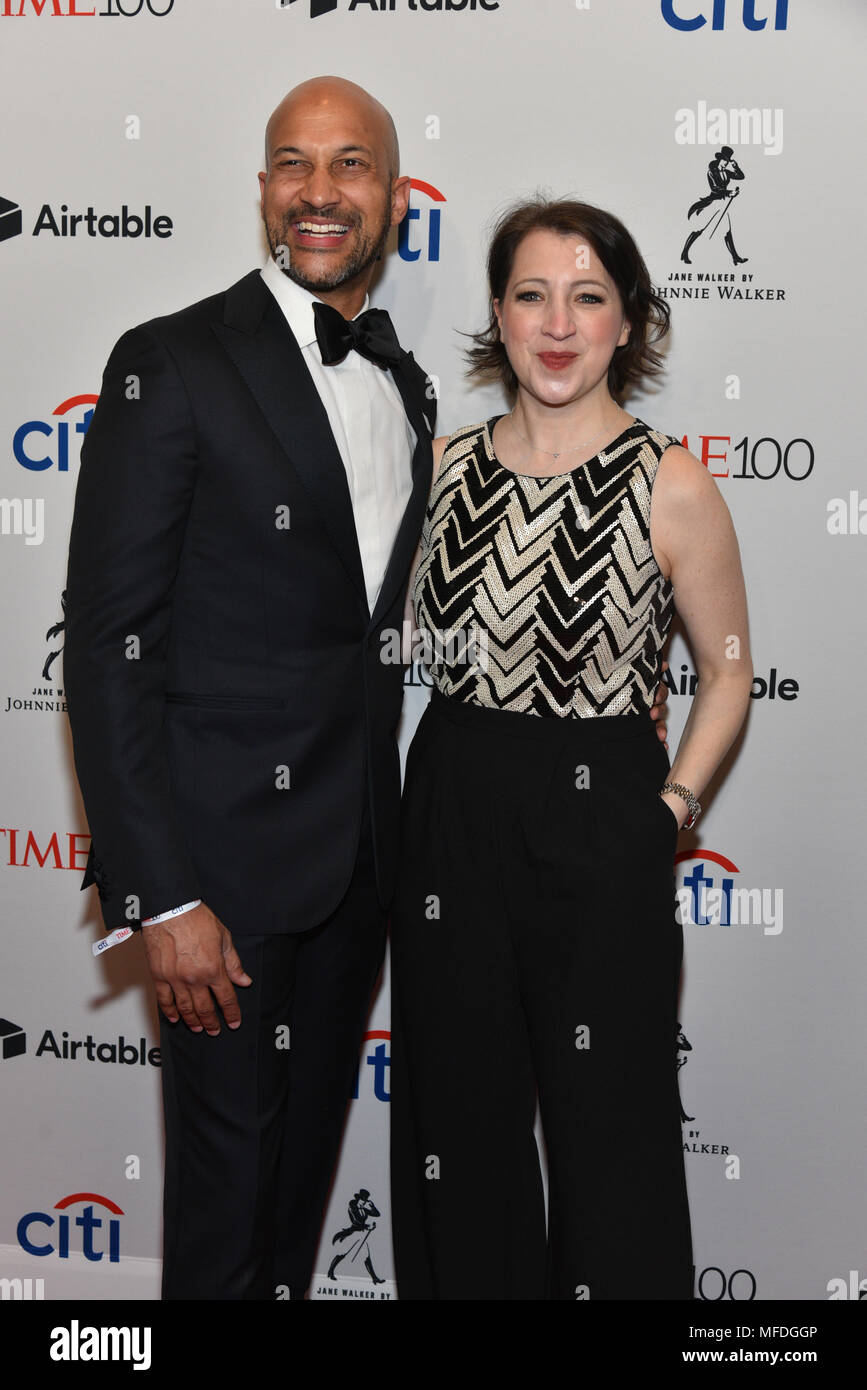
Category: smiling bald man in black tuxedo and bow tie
[251,497]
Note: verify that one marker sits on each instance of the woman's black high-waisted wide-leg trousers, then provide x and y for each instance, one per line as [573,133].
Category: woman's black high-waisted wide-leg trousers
[536,950]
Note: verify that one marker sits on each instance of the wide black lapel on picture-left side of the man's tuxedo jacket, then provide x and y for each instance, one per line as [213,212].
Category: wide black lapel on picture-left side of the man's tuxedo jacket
[262,345]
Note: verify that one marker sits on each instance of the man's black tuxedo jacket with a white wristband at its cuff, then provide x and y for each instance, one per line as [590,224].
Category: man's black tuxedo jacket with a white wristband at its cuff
[227,694]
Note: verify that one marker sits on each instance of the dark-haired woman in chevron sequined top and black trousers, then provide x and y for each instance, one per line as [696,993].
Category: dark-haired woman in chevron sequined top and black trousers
[536,940]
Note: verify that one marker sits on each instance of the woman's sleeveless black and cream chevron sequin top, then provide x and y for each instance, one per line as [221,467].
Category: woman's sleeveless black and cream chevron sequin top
[543,596]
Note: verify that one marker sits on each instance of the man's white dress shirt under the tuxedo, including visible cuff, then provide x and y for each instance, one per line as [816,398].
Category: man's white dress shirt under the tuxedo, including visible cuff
[373,434]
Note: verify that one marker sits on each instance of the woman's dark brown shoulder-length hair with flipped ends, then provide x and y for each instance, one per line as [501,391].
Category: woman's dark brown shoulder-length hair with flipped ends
[647,312]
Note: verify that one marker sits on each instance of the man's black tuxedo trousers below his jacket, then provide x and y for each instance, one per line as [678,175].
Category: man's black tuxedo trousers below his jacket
[255,1117]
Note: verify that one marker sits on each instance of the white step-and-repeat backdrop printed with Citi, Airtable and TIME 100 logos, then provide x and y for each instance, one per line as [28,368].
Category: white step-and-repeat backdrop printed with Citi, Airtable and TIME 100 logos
[133,138]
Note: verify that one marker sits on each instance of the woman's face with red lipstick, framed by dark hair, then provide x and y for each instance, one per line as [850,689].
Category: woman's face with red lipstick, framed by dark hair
[561,319]
